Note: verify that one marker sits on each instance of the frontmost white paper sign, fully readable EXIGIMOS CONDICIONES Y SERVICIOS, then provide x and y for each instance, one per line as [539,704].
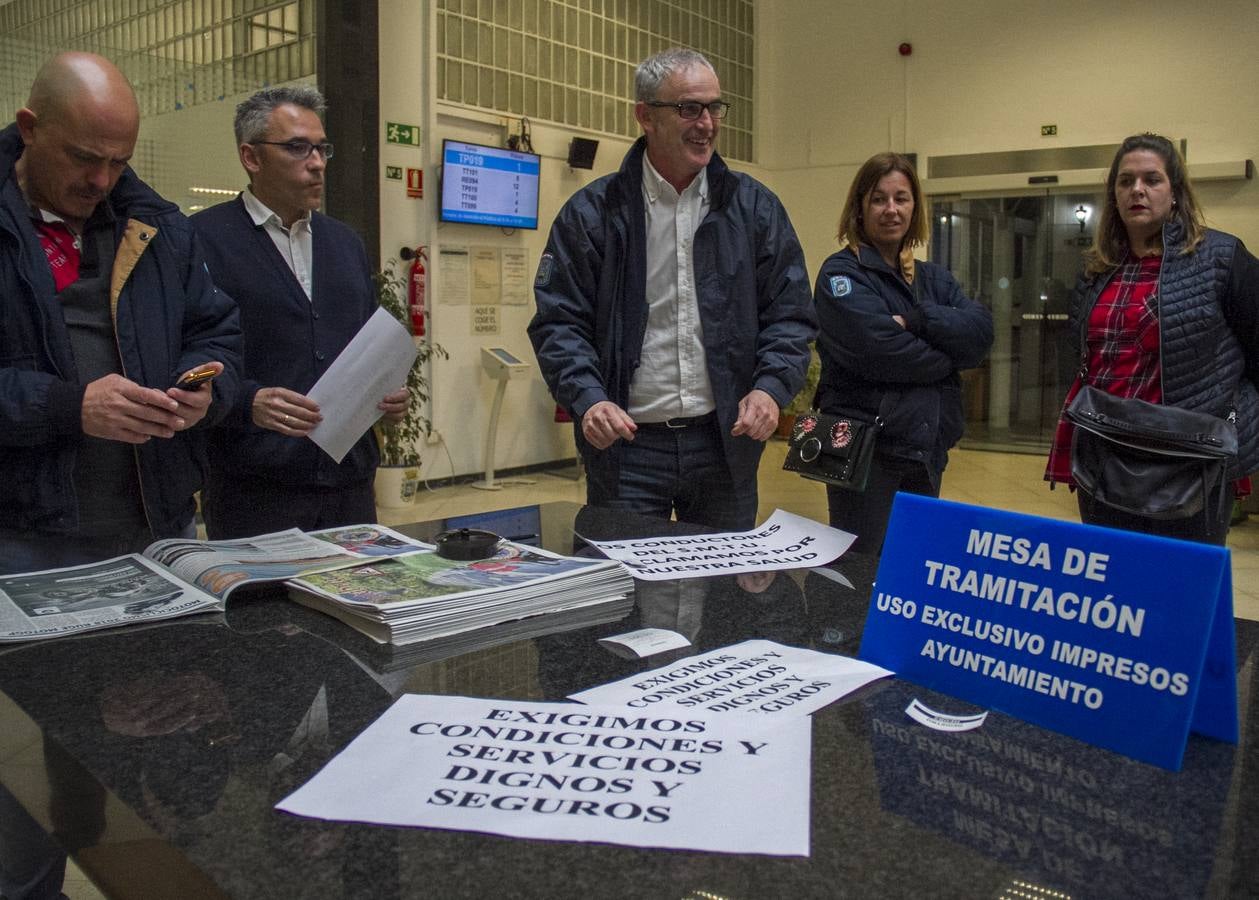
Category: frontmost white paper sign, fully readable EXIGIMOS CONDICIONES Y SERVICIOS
[563,772]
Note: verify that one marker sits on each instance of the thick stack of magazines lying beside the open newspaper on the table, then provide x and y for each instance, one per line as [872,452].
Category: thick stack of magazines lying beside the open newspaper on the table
[425,597]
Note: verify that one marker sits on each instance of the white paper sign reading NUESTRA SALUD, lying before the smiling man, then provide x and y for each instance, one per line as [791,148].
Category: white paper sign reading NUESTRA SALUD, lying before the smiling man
[785,542]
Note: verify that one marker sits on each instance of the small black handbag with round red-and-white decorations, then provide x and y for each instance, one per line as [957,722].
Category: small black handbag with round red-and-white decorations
[837,450]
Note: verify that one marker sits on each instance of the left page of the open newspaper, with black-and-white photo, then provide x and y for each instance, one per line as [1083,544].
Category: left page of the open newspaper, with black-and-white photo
[116,592]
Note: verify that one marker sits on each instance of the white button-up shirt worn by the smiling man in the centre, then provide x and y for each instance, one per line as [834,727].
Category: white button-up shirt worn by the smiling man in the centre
[672,380]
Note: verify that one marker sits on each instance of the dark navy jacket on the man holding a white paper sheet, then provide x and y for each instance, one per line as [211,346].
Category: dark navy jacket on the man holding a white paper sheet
[290,342]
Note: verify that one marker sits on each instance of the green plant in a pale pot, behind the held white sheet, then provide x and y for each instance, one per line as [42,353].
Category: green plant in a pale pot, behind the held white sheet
[398,475]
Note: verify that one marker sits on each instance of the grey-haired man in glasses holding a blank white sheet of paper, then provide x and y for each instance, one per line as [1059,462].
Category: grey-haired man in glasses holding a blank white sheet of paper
[305,289]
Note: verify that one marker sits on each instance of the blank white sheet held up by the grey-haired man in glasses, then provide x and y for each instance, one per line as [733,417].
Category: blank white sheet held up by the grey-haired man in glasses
[373,364]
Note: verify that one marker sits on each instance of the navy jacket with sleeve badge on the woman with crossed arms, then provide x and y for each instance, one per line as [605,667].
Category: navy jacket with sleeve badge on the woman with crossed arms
[906,376]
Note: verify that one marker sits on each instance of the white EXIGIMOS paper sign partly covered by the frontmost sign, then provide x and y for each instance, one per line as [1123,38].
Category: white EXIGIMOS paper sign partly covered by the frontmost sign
[765,678]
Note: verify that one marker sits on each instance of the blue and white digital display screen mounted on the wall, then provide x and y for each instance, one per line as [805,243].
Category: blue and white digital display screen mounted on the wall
[489,186]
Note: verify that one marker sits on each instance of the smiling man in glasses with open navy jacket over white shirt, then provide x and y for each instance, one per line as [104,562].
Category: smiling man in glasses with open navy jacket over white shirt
[674,313]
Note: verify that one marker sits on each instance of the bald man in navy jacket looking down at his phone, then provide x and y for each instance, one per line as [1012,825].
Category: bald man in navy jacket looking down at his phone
[105,304]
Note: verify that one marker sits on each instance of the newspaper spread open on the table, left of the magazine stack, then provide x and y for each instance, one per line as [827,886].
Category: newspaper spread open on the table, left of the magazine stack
[179,577]
